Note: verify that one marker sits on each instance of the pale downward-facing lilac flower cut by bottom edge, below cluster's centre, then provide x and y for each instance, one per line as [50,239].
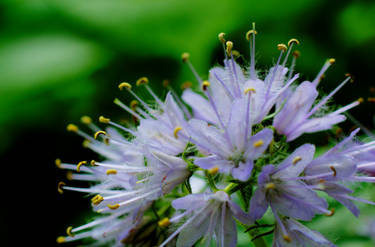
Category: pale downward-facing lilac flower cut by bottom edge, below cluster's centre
[207,216]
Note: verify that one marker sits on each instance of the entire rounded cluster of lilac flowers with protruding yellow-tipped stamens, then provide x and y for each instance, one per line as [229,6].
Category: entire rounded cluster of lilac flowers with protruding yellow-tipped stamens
[232,135]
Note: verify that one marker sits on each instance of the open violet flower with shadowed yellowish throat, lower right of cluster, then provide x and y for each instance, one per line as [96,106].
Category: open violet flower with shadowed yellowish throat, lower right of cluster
[278,188]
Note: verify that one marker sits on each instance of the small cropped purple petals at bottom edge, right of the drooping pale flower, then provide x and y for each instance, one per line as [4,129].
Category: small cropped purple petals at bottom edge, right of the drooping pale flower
[291,233]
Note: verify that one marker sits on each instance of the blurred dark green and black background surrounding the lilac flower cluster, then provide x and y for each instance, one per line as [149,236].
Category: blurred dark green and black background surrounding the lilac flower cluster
[61,59]
